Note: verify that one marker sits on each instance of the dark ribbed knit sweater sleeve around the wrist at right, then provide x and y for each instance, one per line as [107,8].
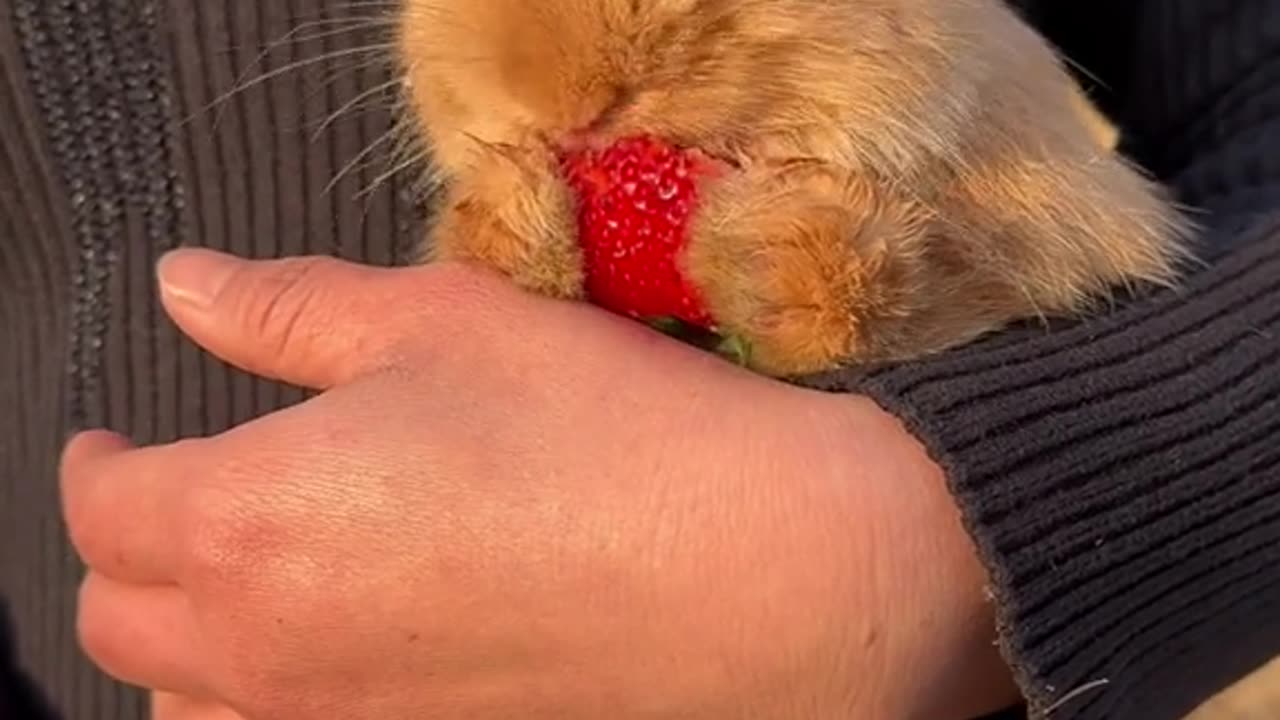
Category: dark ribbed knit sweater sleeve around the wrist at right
[1122,476]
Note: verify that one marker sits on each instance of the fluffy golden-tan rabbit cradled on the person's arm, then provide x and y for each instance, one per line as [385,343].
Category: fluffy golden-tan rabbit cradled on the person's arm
[908,175]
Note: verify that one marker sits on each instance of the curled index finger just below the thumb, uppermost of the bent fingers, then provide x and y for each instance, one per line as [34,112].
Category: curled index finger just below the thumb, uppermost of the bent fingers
[122,504]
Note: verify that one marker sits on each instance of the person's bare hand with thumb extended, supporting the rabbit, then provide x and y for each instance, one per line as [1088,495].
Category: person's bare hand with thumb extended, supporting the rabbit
[509,507]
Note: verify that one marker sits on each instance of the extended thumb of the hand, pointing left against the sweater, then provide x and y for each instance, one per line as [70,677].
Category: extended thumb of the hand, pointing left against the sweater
[314,322]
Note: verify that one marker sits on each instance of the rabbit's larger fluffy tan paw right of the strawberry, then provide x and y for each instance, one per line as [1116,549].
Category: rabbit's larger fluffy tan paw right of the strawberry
[789,262]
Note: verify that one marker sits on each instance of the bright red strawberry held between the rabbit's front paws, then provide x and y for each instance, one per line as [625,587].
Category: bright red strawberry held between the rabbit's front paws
[636,199]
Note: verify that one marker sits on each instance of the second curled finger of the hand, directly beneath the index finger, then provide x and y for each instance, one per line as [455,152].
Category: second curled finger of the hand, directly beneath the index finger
[141,636]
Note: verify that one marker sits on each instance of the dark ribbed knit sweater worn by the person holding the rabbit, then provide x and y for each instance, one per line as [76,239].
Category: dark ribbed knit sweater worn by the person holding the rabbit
[1122,476]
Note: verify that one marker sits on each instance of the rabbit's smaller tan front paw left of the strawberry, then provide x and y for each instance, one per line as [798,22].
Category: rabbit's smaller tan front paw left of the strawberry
[513,213]
